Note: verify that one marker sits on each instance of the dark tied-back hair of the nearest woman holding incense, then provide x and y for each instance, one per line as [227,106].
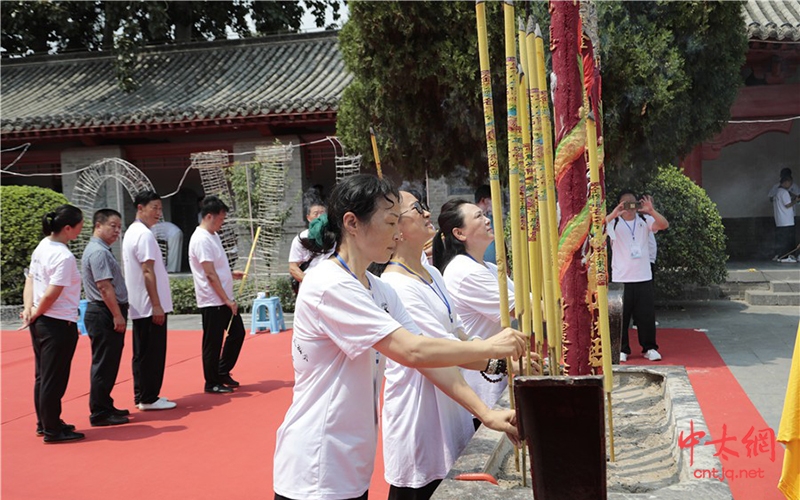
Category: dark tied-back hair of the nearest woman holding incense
[358,194]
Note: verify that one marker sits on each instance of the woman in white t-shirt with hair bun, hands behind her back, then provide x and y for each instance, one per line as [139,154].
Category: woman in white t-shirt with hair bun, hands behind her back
[51,298]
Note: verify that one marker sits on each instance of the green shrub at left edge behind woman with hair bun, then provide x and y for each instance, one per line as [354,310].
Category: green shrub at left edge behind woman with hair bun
[21,211]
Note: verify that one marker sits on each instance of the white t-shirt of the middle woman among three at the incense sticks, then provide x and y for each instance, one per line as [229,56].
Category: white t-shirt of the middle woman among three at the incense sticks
[424,431]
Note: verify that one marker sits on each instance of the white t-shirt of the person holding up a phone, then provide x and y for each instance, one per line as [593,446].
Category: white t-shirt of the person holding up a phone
[630,249]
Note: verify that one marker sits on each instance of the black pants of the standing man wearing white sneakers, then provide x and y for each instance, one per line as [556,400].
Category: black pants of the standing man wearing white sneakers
[149,359]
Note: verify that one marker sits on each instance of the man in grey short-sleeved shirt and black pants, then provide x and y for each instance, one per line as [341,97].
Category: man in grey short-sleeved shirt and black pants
[106,316]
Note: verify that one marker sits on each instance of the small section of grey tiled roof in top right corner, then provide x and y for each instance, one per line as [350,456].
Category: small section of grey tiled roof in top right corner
[773,19]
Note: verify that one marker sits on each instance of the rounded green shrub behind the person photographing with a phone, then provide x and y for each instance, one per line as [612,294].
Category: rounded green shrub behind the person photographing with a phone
[692,250]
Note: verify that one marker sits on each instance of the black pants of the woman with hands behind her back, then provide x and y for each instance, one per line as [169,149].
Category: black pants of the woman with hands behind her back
[54,342]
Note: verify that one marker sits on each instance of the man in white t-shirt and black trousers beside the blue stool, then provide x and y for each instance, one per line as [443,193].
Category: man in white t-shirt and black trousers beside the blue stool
[213,286]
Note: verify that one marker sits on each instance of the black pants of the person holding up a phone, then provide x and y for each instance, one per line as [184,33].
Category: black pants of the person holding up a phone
[638,302]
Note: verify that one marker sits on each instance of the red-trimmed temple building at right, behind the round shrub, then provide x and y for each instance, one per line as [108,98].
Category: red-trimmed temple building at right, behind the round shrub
[738,167]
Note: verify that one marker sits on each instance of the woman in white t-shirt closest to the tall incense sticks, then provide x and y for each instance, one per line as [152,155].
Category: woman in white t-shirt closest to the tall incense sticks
[458,249]
